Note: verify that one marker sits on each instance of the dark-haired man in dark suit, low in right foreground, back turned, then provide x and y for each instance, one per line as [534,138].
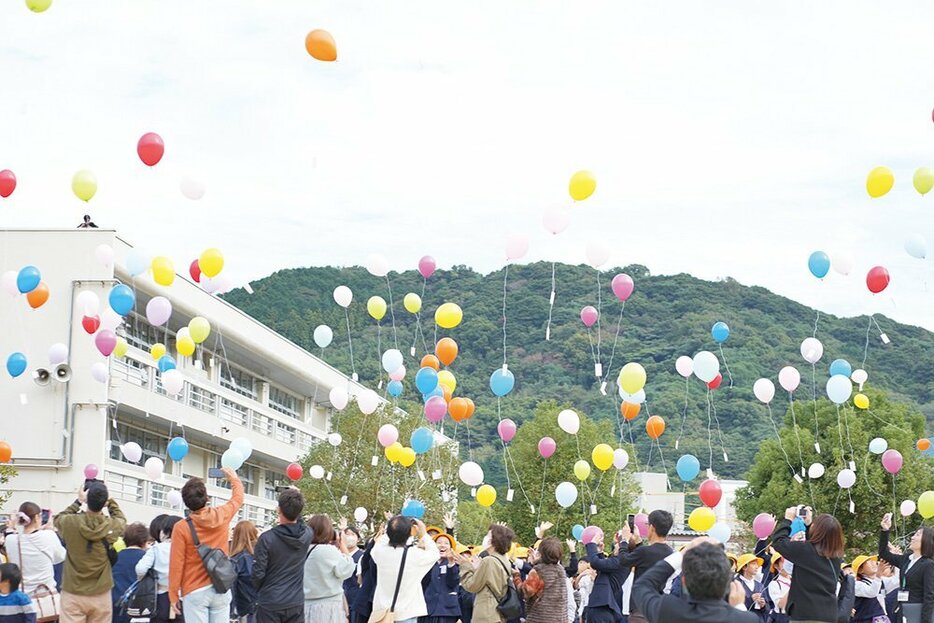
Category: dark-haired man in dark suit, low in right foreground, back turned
[707,576]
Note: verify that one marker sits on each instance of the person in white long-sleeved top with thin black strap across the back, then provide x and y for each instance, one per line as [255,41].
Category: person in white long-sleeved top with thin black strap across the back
[400,569]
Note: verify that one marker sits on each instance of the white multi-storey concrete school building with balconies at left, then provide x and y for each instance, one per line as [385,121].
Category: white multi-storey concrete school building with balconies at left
[244,381]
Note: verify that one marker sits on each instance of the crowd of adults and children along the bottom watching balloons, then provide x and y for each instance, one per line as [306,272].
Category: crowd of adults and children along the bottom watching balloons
[312,570]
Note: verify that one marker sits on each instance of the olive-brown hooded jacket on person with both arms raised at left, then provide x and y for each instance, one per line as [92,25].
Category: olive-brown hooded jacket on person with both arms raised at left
[87,568]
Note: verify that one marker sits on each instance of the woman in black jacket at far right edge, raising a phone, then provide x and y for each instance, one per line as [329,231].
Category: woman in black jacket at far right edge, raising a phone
[916,571]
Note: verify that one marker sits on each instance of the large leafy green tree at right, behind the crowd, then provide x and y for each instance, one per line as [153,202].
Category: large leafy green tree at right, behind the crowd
[772,488]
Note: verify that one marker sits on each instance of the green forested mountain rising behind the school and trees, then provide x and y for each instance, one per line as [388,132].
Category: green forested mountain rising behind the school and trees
[667,316]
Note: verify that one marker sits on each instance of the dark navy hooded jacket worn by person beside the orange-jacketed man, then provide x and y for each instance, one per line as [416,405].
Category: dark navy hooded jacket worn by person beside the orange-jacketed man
[278,566]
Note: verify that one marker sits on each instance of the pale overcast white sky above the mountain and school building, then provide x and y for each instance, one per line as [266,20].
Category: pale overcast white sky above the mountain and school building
[728,139]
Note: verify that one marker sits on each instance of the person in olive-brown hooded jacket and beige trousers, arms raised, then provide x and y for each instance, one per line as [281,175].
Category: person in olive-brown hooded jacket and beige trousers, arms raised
[89,536]
